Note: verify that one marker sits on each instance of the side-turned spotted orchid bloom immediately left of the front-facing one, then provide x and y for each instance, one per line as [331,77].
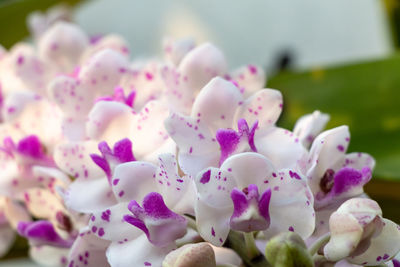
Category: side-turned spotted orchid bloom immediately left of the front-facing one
[151,229]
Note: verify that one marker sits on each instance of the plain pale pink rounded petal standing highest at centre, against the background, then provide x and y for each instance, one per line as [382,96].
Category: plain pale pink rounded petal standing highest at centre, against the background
[202,64]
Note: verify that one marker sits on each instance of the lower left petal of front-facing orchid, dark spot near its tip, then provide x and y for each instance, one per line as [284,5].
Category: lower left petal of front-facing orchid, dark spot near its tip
[212,222]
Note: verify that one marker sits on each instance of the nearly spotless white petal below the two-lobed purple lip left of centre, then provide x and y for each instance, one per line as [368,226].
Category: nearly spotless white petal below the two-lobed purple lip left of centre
[98,198]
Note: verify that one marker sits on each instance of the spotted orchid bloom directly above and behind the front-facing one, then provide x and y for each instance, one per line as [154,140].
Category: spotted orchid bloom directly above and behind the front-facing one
[205,138]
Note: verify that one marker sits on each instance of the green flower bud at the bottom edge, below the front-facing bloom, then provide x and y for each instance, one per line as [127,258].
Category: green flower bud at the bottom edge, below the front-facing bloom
[288,250]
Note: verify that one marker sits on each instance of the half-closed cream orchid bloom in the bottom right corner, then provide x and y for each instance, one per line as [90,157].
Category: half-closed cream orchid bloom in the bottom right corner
[361,235]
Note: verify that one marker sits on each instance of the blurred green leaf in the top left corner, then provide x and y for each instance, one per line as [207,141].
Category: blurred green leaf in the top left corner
[13,15]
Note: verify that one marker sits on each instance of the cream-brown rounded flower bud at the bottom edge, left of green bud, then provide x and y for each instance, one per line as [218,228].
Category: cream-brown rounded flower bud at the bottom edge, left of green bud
[191,255]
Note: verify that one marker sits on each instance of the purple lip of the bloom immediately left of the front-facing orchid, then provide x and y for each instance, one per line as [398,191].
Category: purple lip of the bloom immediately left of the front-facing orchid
[161,225]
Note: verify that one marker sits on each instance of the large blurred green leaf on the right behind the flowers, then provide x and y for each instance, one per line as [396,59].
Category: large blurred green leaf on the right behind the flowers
[364,96]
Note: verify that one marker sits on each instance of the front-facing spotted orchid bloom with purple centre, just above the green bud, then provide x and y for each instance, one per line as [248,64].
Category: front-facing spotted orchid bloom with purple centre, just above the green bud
[248,194]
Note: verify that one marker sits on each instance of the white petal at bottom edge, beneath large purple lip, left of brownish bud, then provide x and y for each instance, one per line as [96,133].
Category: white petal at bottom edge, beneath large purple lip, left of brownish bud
[138,252]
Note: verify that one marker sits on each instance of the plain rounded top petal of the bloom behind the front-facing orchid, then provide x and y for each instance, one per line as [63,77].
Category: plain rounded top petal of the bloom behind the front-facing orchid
[216,103]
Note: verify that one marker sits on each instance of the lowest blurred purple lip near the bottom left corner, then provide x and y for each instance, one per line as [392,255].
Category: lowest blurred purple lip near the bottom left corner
[42,233]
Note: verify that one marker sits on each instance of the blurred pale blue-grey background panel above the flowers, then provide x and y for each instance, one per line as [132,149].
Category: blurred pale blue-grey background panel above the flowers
[317,33]
